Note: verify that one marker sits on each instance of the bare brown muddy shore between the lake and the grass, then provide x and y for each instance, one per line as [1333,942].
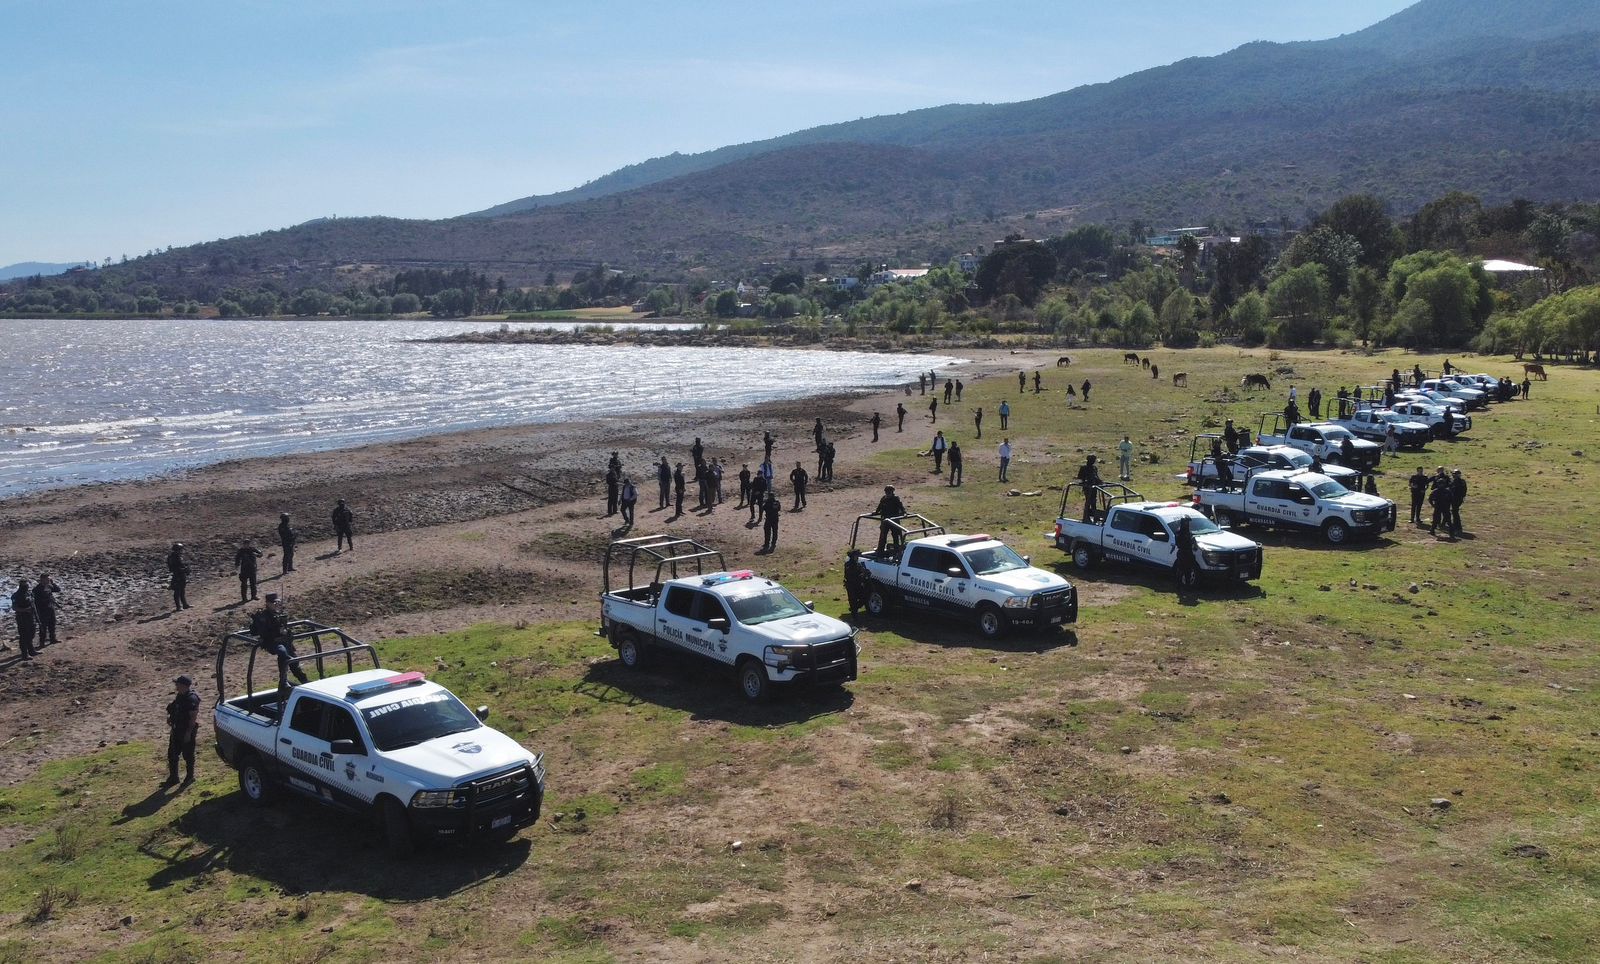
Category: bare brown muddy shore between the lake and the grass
[457,529]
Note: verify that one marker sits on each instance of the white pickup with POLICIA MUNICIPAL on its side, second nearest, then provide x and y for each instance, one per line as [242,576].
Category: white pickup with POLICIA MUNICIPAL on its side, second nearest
[674,593]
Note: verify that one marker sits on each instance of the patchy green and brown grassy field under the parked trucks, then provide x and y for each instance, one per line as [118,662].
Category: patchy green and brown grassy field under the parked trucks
[1186,777]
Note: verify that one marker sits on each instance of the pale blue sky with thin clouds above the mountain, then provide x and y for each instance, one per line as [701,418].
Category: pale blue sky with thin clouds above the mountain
[129,126]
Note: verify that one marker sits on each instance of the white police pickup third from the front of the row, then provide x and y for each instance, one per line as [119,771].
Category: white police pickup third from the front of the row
[972,577]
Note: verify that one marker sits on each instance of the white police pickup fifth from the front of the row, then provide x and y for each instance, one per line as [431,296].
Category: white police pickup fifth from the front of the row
[1300,500]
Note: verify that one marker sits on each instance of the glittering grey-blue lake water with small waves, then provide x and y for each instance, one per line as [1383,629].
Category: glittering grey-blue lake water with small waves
[94,401]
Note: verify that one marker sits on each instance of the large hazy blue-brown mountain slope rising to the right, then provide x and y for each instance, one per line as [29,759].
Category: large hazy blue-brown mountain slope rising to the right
[1500,98]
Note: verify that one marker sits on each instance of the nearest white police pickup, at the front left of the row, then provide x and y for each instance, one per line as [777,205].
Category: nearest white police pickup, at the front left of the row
[375,742]
